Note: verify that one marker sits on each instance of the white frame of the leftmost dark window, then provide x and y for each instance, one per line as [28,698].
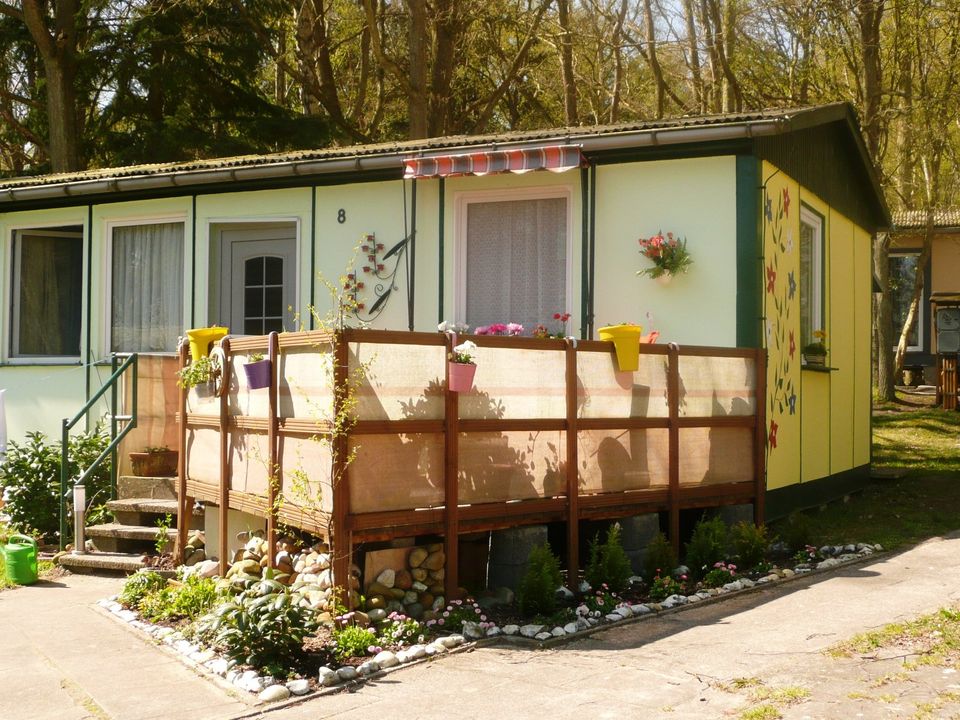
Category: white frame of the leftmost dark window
[12,316]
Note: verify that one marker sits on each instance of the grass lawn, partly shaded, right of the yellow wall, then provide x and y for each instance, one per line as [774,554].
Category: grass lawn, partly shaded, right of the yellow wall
[925,442]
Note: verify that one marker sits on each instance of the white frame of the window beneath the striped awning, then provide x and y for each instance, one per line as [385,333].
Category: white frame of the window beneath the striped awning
[462,201]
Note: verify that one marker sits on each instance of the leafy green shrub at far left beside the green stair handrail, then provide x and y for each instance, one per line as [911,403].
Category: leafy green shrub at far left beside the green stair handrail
[31,476]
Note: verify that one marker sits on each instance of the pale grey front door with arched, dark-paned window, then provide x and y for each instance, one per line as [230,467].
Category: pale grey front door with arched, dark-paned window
[258,278]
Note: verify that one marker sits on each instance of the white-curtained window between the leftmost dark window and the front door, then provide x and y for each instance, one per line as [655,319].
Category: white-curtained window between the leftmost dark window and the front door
[147,294]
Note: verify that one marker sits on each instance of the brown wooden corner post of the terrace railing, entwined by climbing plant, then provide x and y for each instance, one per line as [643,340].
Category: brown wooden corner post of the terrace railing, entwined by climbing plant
[340,545]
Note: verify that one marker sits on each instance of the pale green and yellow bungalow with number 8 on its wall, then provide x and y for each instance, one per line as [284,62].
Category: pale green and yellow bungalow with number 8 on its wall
[778,209]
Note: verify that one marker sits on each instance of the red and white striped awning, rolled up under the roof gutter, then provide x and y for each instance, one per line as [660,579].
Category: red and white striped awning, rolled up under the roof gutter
[556,158]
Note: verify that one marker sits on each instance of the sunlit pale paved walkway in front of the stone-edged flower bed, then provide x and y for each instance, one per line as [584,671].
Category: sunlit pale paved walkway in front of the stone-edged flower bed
[61,658]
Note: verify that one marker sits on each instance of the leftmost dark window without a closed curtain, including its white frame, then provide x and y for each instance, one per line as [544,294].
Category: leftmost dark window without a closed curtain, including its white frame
[47,293]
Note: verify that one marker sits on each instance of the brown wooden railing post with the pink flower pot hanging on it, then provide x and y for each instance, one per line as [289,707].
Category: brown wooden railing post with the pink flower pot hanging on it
[451,479]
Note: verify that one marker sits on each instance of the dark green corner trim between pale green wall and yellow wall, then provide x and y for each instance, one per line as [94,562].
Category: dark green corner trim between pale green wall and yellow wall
[749,252]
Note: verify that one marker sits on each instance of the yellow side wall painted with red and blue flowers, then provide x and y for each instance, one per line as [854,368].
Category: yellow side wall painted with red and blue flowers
[821,419]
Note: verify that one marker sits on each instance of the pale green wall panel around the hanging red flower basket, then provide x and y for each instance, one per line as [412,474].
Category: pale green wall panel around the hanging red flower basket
[693,198]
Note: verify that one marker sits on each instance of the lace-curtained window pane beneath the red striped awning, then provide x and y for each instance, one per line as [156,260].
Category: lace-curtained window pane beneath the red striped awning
[516,261]
